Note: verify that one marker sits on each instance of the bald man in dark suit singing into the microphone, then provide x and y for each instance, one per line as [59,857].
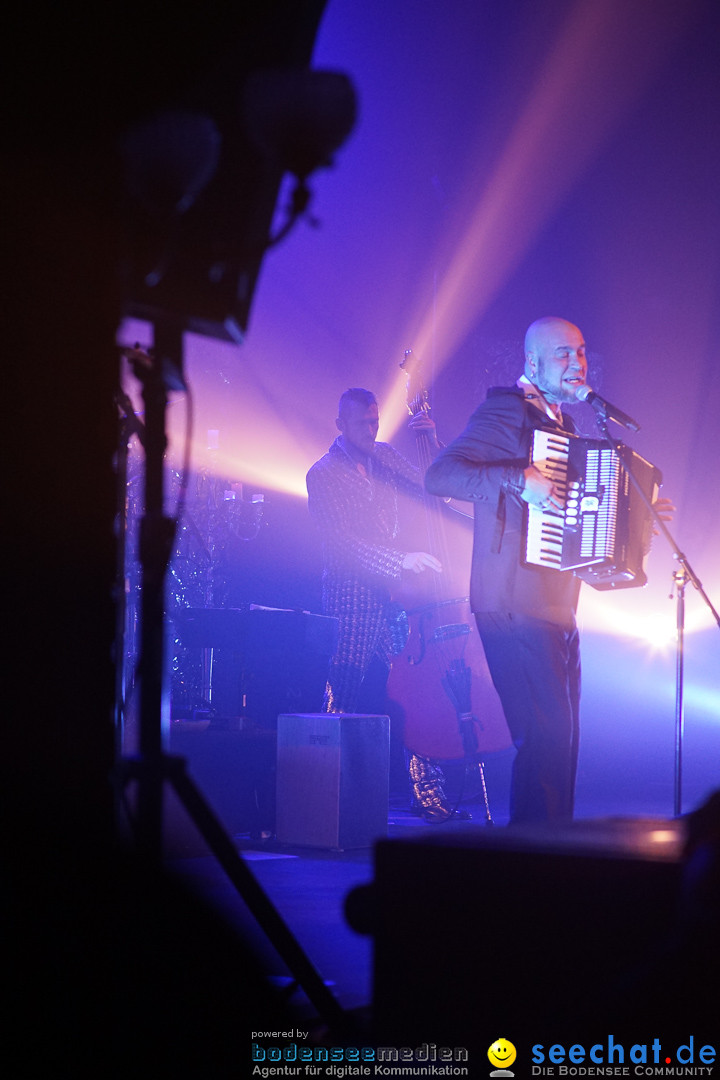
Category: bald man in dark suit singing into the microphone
[526,615]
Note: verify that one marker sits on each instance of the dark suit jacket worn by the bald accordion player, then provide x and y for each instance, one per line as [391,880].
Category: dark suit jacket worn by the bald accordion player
[481,467]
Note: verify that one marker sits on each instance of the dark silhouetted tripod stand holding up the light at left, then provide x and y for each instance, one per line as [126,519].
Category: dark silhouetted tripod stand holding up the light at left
[153,768]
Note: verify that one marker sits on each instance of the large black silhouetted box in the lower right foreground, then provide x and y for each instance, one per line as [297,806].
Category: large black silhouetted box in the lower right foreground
[492,934]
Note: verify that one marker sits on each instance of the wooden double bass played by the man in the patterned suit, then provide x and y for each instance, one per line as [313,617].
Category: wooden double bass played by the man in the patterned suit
[441,681]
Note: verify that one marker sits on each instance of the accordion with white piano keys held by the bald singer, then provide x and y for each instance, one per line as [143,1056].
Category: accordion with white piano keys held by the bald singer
[603,533]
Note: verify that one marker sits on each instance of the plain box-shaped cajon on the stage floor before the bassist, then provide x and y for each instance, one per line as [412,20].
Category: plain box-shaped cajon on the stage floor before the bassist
[333,779]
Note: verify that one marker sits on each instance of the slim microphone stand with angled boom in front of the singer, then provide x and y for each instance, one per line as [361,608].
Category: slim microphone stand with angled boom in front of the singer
[684,575]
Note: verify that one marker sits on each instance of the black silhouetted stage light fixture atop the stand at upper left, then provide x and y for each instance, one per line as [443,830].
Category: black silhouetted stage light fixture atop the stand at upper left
[202,179]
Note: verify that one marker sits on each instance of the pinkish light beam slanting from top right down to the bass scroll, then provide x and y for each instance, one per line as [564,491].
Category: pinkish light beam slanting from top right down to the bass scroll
[603,62]
